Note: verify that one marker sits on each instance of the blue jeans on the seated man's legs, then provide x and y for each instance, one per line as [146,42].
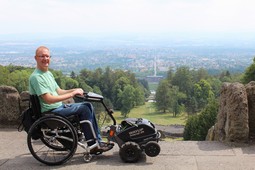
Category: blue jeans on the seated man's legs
[85,111]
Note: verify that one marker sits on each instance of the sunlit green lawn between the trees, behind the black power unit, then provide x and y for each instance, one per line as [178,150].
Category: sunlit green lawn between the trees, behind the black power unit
[148,111]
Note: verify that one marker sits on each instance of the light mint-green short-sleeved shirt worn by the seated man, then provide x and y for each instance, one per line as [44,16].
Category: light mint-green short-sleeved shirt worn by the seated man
[43,82]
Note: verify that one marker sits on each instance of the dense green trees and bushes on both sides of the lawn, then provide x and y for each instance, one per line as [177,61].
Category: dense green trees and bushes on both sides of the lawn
[194,92]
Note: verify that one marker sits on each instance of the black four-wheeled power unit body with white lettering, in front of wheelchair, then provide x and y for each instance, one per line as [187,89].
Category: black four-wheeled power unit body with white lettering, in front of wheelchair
[135,135]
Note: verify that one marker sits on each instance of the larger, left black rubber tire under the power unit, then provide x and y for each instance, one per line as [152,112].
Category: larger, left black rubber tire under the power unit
[130,152]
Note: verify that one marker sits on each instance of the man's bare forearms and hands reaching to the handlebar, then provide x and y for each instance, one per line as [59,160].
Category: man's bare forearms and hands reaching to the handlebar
[62,95]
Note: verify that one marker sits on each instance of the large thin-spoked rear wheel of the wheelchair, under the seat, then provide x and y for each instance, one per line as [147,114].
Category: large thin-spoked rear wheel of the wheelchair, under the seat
[52,140]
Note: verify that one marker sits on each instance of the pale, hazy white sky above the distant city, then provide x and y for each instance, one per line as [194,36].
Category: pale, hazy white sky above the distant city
[74,17]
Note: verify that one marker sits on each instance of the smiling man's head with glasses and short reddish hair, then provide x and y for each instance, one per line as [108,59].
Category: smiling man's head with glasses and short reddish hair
[42,57]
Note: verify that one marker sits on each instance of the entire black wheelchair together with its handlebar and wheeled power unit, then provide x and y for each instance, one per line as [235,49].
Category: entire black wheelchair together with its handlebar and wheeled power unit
[53,139]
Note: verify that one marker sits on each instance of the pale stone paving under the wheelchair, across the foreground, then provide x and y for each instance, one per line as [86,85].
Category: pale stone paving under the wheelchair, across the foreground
[178,155]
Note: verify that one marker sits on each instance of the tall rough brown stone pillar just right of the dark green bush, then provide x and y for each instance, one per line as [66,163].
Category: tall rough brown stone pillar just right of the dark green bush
[232,121]
